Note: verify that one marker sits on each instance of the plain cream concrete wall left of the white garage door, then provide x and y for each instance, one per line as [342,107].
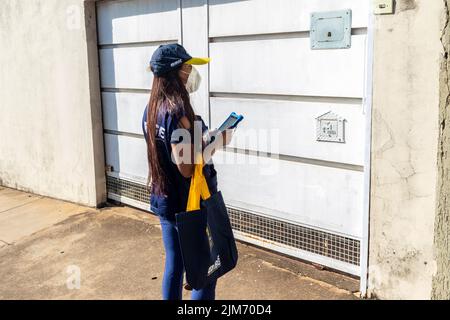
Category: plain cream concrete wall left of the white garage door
[50,112]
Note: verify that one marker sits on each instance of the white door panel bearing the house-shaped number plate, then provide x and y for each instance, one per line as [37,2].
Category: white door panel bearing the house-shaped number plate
[289,128]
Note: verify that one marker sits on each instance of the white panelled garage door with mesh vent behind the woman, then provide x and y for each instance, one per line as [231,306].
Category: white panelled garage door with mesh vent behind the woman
[285,189]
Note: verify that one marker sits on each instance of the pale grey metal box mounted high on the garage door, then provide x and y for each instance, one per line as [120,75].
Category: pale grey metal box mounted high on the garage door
[331,30]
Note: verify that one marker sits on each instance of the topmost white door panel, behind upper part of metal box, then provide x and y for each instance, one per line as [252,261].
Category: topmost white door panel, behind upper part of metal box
[269,16]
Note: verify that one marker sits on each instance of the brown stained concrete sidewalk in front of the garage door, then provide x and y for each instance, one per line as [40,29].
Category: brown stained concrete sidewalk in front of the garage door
[118,252]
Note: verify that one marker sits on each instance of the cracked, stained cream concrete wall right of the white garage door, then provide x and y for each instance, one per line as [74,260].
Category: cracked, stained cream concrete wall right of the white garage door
[404,150]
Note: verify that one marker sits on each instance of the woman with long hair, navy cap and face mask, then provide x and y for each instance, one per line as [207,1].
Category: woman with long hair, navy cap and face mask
[170,170]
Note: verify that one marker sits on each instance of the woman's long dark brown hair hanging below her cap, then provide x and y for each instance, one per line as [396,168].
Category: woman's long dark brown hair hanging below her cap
[168,94]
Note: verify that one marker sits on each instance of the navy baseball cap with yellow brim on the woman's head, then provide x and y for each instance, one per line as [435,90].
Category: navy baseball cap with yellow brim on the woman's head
[170,57]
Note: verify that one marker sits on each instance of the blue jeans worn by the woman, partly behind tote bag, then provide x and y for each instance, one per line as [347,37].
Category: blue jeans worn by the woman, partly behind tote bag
[172,286]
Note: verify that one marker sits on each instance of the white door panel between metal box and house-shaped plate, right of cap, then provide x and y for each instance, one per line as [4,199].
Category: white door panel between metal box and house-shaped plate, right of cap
[287,66]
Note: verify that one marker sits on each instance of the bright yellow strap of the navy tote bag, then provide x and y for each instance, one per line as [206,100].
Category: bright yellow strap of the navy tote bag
[198,188]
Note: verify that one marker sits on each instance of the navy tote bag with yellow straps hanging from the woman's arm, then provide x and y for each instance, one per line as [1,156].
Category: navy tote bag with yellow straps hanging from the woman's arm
[208,247]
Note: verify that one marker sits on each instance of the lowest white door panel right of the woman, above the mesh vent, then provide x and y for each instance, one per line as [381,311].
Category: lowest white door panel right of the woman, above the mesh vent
[323,197]
